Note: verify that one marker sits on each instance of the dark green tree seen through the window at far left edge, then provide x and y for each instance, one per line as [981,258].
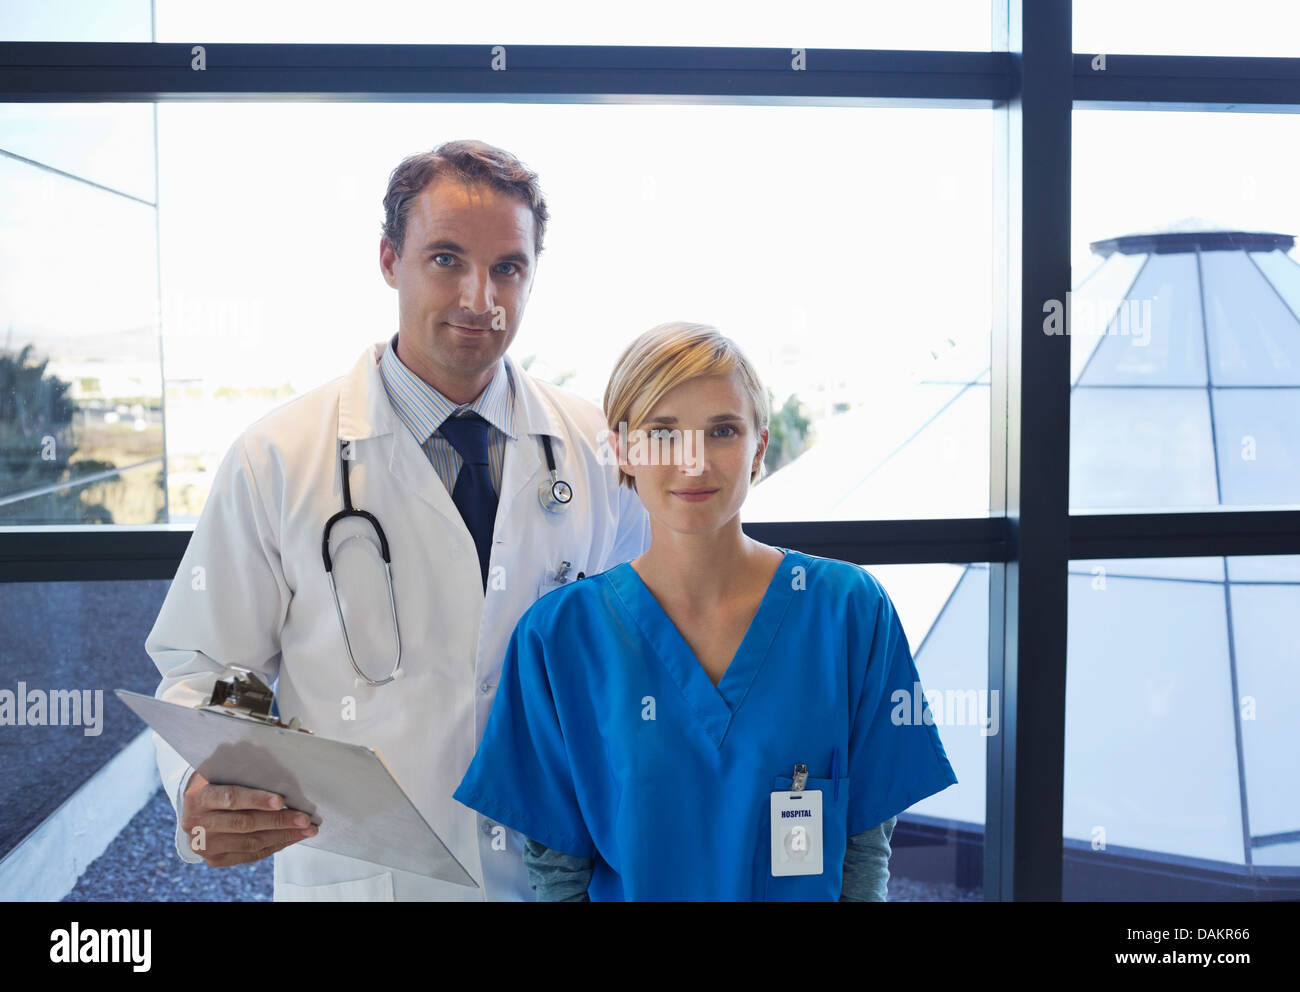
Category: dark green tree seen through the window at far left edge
[37,444]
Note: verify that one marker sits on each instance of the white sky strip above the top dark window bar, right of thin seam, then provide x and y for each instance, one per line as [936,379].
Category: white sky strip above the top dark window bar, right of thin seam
[1246,28]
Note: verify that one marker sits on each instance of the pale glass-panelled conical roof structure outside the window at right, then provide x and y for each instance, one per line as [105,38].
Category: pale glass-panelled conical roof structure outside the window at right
[1185,353]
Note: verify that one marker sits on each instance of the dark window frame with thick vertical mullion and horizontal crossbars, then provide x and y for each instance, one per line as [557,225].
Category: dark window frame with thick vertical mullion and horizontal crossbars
[1032,86]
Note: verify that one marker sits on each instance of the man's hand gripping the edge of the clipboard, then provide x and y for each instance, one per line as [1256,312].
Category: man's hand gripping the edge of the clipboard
[237,825]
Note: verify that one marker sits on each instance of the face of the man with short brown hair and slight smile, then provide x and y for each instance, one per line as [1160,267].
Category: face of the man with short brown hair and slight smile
[463,279]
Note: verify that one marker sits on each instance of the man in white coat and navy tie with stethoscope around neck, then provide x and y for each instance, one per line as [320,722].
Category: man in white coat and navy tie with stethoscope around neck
[443,436]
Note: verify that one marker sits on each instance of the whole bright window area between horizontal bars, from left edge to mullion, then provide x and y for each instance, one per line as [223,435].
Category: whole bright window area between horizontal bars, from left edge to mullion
[920,400]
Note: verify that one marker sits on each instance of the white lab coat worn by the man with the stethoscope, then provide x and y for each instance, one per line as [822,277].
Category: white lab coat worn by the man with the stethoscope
[253,591]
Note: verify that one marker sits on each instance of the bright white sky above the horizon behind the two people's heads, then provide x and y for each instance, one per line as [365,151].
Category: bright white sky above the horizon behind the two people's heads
[792,229]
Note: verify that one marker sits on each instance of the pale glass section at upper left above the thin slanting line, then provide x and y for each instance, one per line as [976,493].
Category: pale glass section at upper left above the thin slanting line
[111,145]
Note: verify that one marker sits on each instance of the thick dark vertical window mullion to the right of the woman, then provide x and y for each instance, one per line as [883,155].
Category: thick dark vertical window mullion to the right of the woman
[1032,388]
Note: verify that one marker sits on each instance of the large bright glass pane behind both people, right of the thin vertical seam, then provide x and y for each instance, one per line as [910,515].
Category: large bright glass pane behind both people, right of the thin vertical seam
[648,236]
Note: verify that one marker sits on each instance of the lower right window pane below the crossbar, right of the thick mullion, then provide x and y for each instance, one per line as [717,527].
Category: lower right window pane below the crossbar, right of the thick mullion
[1168,776]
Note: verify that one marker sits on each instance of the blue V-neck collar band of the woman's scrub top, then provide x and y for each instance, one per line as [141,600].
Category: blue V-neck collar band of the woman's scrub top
[714,705]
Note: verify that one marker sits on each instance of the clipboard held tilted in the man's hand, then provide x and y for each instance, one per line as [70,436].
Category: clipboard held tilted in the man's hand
[346,789]
